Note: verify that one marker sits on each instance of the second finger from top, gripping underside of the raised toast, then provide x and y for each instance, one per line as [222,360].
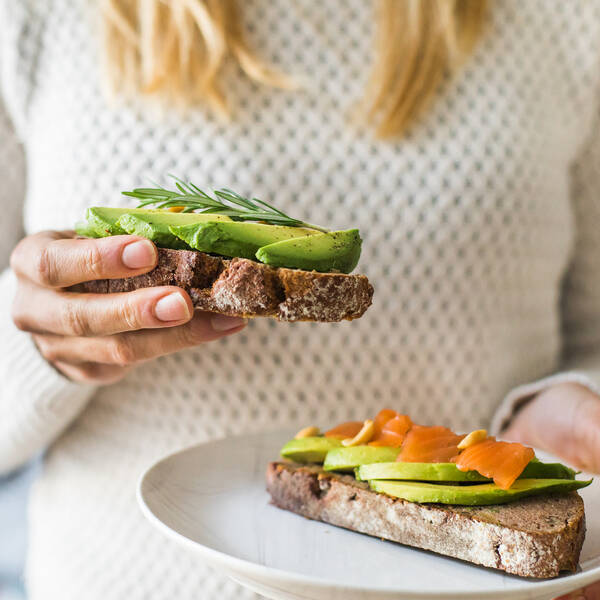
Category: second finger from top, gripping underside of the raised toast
[40,310]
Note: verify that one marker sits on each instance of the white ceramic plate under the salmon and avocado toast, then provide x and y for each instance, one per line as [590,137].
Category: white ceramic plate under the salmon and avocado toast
[211,499]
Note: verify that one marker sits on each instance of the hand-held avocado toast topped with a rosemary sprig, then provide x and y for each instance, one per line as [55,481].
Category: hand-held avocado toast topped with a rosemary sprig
[238,256]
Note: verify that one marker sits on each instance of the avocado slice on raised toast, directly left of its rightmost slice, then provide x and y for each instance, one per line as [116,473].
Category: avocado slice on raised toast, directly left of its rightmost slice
[235,238]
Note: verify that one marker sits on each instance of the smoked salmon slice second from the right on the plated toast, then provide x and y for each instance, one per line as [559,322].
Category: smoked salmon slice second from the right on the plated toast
[430,444]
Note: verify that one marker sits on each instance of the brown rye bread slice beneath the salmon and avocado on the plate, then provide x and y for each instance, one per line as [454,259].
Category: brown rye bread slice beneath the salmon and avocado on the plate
[534,537]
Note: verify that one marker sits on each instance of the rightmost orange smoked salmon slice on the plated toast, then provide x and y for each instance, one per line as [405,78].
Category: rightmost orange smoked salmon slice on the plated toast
[501,461]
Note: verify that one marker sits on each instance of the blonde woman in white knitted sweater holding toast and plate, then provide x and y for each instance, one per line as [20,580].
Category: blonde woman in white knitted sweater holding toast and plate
[476,194]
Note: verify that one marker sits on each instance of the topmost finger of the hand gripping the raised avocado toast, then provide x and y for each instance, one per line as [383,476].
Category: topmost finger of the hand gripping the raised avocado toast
[51,259]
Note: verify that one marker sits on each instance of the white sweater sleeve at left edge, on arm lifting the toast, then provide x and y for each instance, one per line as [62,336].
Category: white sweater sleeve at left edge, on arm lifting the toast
[36,402]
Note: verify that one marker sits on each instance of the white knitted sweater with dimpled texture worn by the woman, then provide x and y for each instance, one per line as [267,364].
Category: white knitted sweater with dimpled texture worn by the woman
[481,237]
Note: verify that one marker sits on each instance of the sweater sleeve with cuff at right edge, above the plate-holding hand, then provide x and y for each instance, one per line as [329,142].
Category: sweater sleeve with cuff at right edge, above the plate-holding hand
[580,298]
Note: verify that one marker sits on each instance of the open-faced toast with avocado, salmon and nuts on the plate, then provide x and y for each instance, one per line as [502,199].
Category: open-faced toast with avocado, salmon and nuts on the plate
[469,496]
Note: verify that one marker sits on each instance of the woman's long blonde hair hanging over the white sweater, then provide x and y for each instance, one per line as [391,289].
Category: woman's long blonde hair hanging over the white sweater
[176,49]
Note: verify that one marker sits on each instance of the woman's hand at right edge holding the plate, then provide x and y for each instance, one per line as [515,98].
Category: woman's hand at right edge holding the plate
[564,420]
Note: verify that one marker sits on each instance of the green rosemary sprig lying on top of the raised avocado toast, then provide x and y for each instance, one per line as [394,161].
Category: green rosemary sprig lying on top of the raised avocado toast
[225,202]
